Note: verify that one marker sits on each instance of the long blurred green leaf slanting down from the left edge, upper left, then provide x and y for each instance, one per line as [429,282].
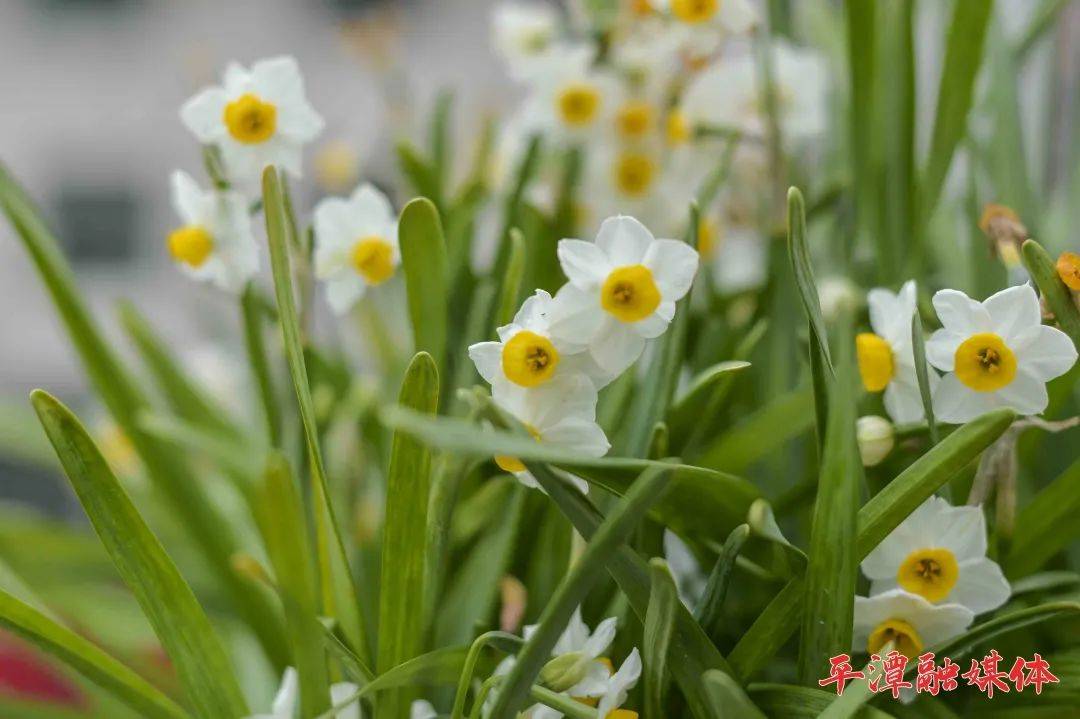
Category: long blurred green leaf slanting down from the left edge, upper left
[126,400]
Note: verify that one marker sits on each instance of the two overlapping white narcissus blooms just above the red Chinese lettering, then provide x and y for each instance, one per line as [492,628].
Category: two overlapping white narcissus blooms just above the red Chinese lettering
[929,579]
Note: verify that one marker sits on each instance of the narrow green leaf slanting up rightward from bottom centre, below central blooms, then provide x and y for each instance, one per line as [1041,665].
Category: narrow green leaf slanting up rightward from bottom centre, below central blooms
[572,592]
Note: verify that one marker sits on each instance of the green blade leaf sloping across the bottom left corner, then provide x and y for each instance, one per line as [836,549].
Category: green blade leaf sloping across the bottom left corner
[87,659]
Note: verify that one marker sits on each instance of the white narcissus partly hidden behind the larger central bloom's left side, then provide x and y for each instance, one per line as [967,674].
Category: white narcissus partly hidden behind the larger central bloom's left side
[526,356]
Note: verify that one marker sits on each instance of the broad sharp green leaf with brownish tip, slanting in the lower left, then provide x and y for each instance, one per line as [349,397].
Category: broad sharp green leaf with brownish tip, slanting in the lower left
[167,600]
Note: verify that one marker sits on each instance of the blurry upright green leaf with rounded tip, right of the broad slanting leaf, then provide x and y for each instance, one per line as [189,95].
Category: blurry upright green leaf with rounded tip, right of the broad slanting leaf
[286,533]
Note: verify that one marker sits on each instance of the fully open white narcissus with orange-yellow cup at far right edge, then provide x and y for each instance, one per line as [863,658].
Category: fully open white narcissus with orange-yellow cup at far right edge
[996,354]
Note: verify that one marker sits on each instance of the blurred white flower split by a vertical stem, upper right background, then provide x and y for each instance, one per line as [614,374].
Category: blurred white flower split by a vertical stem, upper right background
[728,94]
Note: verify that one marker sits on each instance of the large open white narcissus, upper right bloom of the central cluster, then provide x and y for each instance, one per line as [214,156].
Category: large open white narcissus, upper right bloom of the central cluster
[623,290]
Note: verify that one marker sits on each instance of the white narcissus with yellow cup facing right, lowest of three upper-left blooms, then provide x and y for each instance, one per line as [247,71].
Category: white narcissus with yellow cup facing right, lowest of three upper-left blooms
[356,246]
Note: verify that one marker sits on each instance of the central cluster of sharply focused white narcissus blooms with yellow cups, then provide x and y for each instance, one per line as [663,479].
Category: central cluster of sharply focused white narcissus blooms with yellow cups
[550,362]
